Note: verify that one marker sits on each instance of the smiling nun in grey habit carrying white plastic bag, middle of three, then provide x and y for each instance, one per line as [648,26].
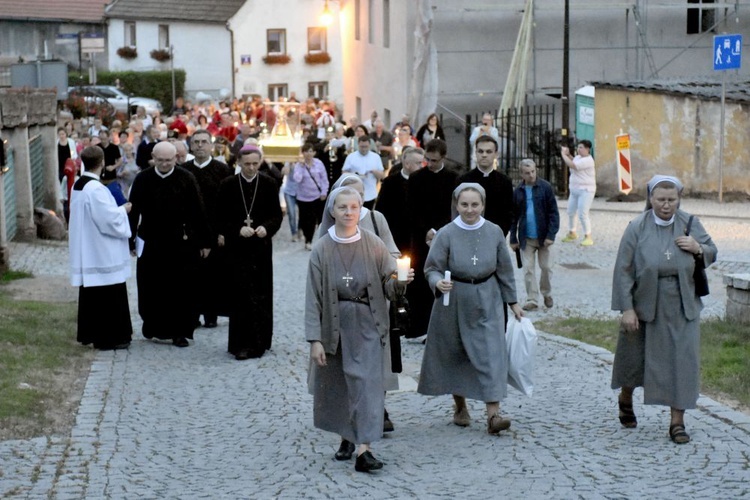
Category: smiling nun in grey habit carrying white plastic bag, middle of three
[465,353]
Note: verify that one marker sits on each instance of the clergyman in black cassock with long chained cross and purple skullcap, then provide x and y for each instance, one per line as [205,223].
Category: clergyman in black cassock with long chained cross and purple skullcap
[250,215]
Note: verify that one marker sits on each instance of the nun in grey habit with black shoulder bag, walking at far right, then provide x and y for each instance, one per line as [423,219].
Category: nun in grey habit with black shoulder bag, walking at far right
[658,347]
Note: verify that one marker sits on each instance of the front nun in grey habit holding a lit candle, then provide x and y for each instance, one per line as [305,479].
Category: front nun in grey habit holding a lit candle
[350,274]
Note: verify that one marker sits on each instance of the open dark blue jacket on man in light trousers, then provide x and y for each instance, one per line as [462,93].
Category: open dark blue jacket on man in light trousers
[545,209]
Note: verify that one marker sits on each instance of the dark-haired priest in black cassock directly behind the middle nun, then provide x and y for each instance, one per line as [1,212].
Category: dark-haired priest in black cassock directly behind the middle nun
[498,187]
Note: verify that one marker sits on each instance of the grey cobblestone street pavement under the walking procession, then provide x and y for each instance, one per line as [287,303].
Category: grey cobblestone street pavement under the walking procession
[161,422]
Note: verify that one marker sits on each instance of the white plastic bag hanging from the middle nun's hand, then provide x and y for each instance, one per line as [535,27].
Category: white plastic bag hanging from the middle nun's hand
[520,339]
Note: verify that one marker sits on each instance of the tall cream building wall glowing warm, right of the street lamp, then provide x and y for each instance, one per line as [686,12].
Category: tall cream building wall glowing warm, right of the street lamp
[378,72]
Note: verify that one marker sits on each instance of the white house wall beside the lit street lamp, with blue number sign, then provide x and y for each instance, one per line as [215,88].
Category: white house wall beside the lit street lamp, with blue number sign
[250,25]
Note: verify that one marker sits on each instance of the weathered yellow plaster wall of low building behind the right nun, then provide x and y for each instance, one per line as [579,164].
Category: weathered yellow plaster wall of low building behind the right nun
[672,135]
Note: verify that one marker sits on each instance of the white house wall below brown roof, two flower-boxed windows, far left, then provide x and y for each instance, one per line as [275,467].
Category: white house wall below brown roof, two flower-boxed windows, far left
[202,50]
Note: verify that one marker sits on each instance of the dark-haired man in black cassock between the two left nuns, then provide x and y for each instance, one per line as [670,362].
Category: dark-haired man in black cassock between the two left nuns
[430,191]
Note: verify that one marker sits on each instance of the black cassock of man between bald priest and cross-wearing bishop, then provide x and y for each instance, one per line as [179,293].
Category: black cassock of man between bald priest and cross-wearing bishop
[212,288]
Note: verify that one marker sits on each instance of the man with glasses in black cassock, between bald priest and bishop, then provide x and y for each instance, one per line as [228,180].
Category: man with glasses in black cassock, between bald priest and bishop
[213,294]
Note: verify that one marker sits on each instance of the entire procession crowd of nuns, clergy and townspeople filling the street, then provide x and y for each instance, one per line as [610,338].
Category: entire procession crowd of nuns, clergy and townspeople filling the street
[195,201]
